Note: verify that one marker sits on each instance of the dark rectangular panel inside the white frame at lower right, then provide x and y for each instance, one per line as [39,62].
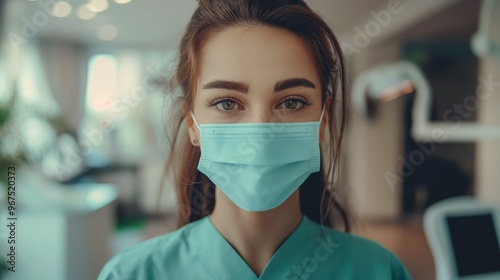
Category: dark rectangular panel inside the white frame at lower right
[475,244]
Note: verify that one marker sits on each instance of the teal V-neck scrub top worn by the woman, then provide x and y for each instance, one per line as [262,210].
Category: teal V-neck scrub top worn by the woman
[198,251]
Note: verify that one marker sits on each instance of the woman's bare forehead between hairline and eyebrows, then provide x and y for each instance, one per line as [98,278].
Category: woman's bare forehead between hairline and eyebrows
[256,54]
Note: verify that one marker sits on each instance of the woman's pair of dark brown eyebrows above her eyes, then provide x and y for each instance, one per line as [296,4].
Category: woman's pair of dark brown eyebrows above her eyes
[242,87]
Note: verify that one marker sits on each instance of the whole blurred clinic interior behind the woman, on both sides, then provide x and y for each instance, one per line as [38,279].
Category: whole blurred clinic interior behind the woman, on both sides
[82,119]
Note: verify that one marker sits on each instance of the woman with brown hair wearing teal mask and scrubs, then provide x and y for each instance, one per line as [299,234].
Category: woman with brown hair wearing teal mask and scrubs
[263,101]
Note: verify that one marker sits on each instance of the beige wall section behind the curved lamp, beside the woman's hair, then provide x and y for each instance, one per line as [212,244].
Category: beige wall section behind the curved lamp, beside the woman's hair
[373,147]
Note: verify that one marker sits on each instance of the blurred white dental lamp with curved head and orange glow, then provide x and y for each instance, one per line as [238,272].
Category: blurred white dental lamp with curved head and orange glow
[371,83]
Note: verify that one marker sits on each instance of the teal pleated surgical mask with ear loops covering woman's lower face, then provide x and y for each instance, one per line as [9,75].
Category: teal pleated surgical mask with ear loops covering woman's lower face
[259,165]
